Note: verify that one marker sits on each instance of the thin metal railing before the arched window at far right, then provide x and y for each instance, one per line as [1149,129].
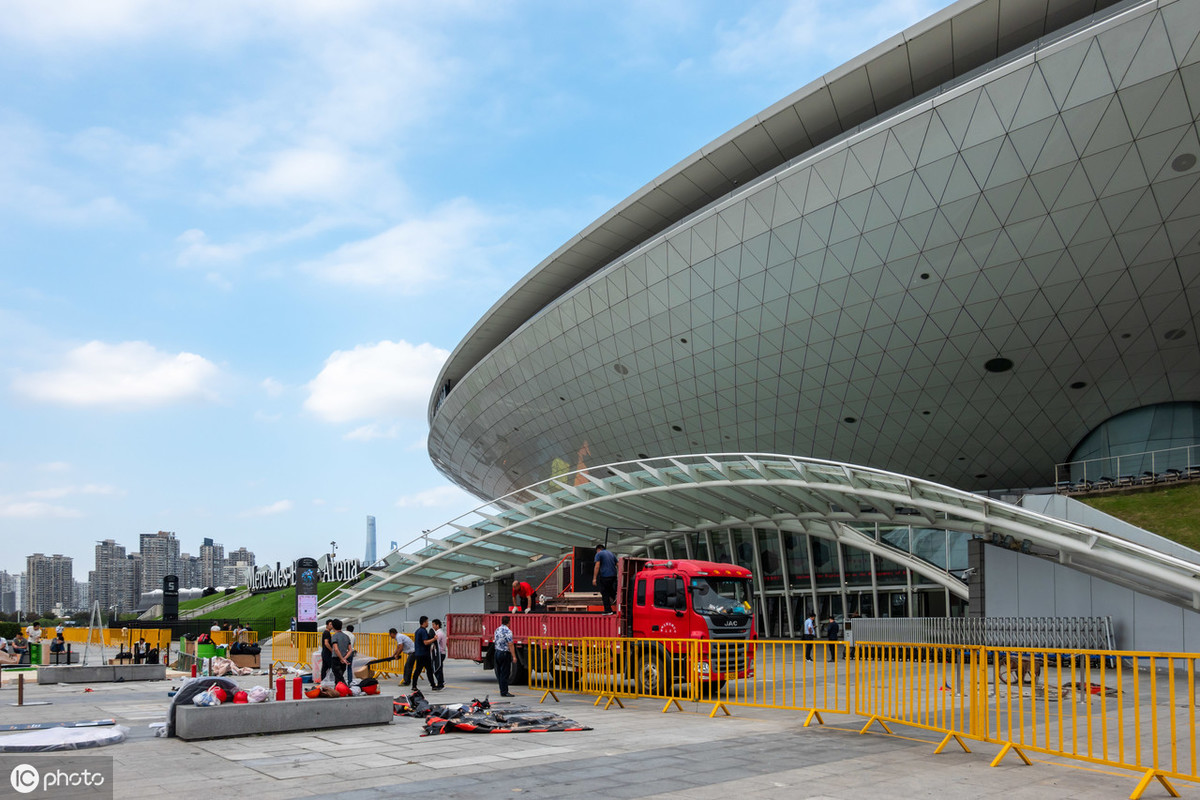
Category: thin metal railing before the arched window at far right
[1129,470]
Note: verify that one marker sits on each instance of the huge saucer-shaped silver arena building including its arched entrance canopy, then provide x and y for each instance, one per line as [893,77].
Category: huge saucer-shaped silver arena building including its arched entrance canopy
[844,340]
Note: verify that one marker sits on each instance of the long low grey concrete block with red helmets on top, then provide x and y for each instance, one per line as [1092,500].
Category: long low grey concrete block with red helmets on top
[281,717]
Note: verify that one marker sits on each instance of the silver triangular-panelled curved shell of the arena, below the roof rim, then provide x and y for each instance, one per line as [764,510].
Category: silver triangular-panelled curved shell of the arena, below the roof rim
[961,291]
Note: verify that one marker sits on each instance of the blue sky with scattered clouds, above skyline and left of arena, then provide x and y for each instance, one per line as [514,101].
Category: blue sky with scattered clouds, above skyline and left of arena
[239,240]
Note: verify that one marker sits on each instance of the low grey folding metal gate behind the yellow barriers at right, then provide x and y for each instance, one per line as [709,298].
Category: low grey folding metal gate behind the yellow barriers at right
[1070,633]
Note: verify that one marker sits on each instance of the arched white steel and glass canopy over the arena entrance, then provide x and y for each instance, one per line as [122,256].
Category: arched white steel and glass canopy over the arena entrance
[626,502]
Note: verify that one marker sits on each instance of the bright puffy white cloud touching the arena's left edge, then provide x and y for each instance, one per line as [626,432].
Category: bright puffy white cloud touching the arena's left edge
[388,381]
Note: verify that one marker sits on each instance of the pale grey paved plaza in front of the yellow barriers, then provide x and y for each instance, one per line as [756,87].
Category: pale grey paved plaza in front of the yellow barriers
[632,753]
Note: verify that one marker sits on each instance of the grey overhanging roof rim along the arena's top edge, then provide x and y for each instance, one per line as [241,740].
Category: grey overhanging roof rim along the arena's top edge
[941,49]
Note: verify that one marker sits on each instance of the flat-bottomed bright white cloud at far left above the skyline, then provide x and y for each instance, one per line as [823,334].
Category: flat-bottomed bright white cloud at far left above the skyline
[129,375]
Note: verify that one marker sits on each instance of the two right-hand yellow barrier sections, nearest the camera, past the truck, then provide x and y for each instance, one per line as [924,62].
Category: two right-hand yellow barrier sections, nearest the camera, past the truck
[1126,709]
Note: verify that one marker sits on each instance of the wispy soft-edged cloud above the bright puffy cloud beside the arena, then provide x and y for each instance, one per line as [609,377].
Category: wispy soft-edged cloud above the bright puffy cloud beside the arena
[454,240]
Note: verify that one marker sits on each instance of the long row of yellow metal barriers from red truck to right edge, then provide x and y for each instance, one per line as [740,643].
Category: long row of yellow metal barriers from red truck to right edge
[1124,709]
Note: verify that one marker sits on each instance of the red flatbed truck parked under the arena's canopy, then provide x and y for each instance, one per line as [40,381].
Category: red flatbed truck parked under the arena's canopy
[665,605]
